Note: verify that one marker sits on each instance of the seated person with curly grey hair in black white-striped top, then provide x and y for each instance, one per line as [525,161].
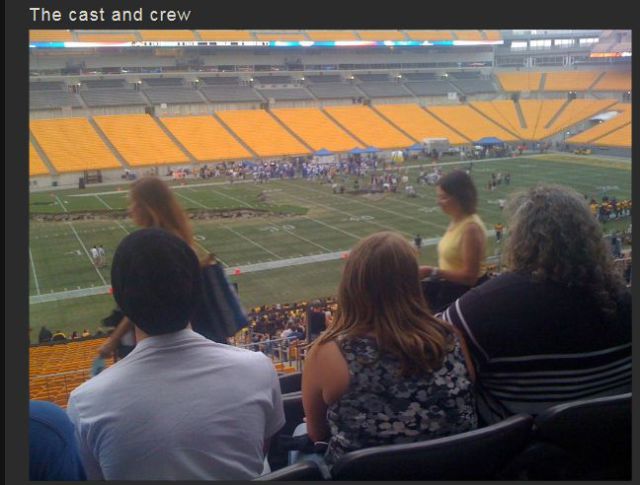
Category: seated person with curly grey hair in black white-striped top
[557,326]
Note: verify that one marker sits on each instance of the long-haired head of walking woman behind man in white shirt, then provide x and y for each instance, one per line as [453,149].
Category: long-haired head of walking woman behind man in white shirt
[152,204]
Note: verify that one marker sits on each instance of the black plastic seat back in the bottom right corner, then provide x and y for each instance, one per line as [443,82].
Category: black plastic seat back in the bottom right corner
[581,440]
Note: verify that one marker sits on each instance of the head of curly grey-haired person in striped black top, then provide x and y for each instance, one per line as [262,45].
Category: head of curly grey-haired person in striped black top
[554,236]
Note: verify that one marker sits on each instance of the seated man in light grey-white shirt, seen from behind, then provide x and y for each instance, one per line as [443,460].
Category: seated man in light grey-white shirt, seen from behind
[179,406]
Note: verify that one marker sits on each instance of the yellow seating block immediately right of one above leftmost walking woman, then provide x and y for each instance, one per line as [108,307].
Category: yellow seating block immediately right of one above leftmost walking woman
[205,138]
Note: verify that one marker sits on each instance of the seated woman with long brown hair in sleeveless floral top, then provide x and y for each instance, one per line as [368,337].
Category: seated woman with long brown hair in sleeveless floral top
[386,371]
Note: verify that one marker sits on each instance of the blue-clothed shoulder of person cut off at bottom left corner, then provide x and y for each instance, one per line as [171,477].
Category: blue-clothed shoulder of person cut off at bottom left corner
[53,449]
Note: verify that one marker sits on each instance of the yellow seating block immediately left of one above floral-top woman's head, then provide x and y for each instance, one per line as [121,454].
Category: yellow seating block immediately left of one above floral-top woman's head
[315,128]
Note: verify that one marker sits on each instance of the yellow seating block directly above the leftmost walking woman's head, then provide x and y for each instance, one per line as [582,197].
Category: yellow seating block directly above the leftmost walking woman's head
[140,140]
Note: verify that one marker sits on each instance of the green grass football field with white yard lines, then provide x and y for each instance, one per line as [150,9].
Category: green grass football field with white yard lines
[297,219]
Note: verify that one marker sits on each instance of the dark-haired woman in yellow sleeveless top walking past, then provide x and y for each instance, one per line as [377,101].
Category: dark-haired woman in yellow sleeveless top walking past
[462,249]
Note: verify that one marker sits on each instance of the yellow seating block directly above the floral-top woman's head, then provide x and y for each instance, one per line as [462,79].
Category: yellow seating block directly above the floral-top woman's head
[367,126]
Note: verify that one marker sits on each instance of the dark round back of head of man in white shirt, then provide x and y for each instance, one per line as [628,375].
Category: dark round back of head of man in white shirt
[156,280]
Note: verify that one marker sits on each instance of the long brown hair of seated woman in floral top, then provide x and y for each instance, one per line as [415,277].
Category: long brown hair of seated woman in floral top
[380,294]
